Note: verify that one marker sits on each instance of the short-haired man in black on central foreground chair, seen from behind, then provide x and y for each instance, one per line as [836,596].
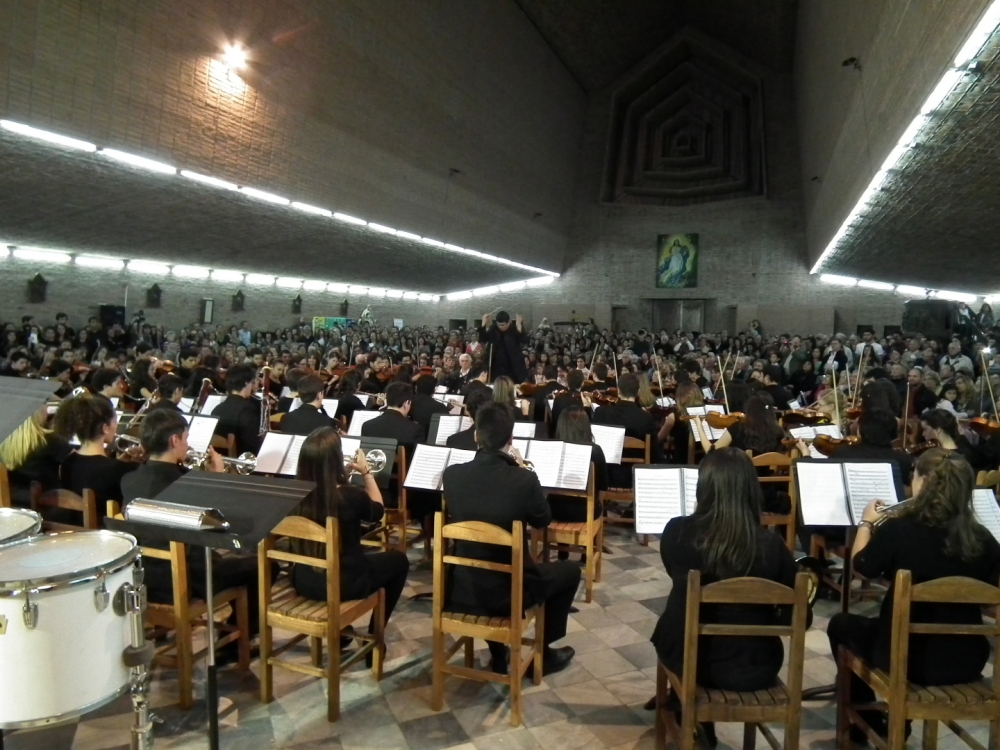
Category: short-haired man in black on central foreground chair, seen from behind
[492,488]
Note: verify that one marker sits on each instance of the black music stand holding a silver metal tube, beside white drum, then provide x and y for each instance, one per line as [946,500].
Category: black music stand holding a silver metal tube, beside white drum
[252,505]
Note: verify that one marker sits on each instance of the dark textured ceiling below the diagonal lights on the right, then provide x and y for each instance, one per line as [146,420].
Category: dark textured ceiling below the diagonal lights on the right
[936,221]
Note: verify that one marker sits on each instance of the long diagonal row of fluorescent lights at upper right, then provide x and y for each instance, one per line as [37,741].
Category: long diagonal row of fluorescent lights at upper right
[951,78]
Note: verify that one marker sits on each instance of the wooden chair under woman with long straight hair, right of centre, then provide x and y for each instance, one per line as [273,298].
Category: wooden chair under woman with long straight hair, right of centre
[779,704]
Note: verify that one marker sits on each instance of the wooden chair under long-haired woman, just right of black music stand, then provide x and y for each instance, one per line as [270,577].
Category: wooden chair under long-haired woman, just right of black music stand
[282,608]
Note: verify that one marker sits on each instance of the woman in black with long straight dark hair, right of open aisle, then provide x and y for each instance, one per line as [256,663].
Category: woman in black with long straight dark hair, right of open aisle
[723,539]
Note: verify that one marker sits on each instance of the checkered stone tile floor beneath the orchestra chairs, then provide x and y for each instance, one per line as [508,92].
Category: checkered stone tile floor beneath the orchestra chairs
[595,703]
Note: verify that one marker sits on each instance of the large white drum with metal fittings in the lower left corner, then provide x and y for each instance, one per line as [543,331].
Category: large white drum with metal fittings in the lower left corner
[61,634]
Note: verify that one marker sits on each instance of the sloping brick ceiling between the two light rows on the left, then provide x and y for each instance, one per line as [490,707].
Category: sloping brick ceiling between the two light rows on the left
[82,202]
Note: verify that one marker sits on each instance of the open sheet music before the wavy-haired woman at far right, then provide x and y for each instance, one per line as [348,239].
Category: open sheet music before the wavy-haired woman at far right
[832,493]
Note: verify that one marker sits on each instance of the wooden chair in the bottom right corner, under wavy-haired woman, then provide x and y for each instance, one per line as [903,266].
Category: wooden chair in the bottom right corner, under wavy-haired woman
[973,701]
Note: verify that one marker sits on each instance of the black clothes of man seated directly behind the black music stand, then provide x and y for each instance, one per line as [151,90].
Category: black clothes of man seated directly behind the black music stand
[229,570]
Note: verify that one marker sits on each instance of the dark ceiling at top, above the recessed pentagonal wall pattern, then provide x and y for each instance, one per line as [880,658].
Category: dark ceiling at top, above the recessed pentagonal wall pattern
[599,40]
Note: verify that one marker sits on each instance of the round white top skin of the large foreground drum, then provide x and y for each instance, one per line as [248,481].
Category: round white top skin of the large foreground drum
[45,562]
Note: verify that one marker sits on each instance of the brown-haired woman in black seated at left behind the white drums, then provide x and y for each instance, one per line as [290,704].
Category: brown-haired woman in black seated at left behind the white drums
[93,421]
